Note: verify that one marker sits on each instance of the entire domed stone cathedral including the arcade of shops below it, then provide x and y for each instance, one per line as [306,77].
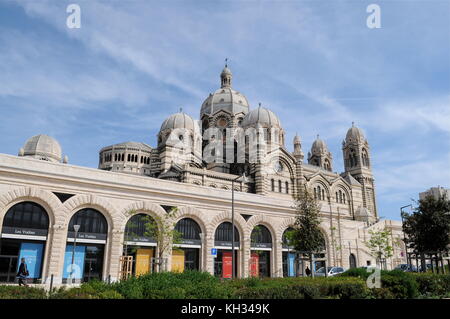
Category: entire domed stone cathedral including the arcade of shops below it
[56,214]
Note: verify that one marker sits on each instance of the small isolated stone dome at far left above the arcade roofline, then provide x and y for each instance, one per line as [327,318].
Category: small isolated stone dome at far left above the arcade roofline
[43,147]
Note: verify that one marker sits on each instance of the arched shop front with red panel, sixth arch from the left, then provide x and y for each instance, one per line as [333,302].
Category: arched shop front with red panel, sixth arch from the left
[261,252]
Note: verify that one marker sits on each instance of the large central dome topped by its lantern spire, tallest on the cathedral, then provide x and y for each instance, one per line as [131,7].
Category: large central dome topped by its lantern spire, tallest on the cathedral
[225,99]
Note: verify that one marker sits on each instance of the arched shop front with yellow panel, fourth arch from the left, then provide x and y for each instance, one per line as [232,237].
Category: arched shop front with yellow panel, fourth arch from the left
[186,253]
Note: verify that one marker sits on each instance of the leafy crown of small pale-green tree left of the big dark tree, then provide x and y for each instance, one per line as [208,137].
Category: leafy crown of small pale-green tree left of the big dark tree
[380,245]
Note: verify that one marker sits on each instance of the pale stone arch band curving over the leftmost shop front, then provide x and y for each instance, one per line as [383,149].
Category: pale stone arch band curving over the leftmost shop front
[49,201]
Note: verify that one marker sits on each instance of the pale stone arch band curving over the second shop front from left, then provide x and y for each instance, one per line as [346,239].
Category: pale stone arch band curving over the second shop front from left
[78,202]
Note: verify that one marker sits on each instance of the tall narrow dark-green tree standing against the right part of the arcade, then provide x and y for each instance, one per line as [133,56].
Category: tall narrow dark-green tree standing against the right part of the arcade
[307,237]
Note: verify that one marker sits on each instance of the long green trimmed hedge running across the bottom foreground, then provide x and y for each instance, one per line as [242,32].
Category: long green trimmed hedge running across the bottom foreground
[202,285]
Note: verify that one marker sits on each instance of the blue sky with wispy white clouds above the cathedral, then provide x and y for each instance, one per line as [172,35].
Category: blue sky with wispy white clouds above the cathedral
[314,63]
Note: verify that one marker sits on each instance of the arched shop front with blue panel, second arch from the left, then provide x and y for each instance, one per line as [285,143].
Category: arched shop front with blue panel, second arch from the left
[85,247]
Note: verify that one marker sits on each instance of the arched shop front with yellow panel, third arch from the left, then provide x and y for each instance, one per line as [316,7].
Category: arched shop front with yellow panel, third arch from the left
[140,244]
